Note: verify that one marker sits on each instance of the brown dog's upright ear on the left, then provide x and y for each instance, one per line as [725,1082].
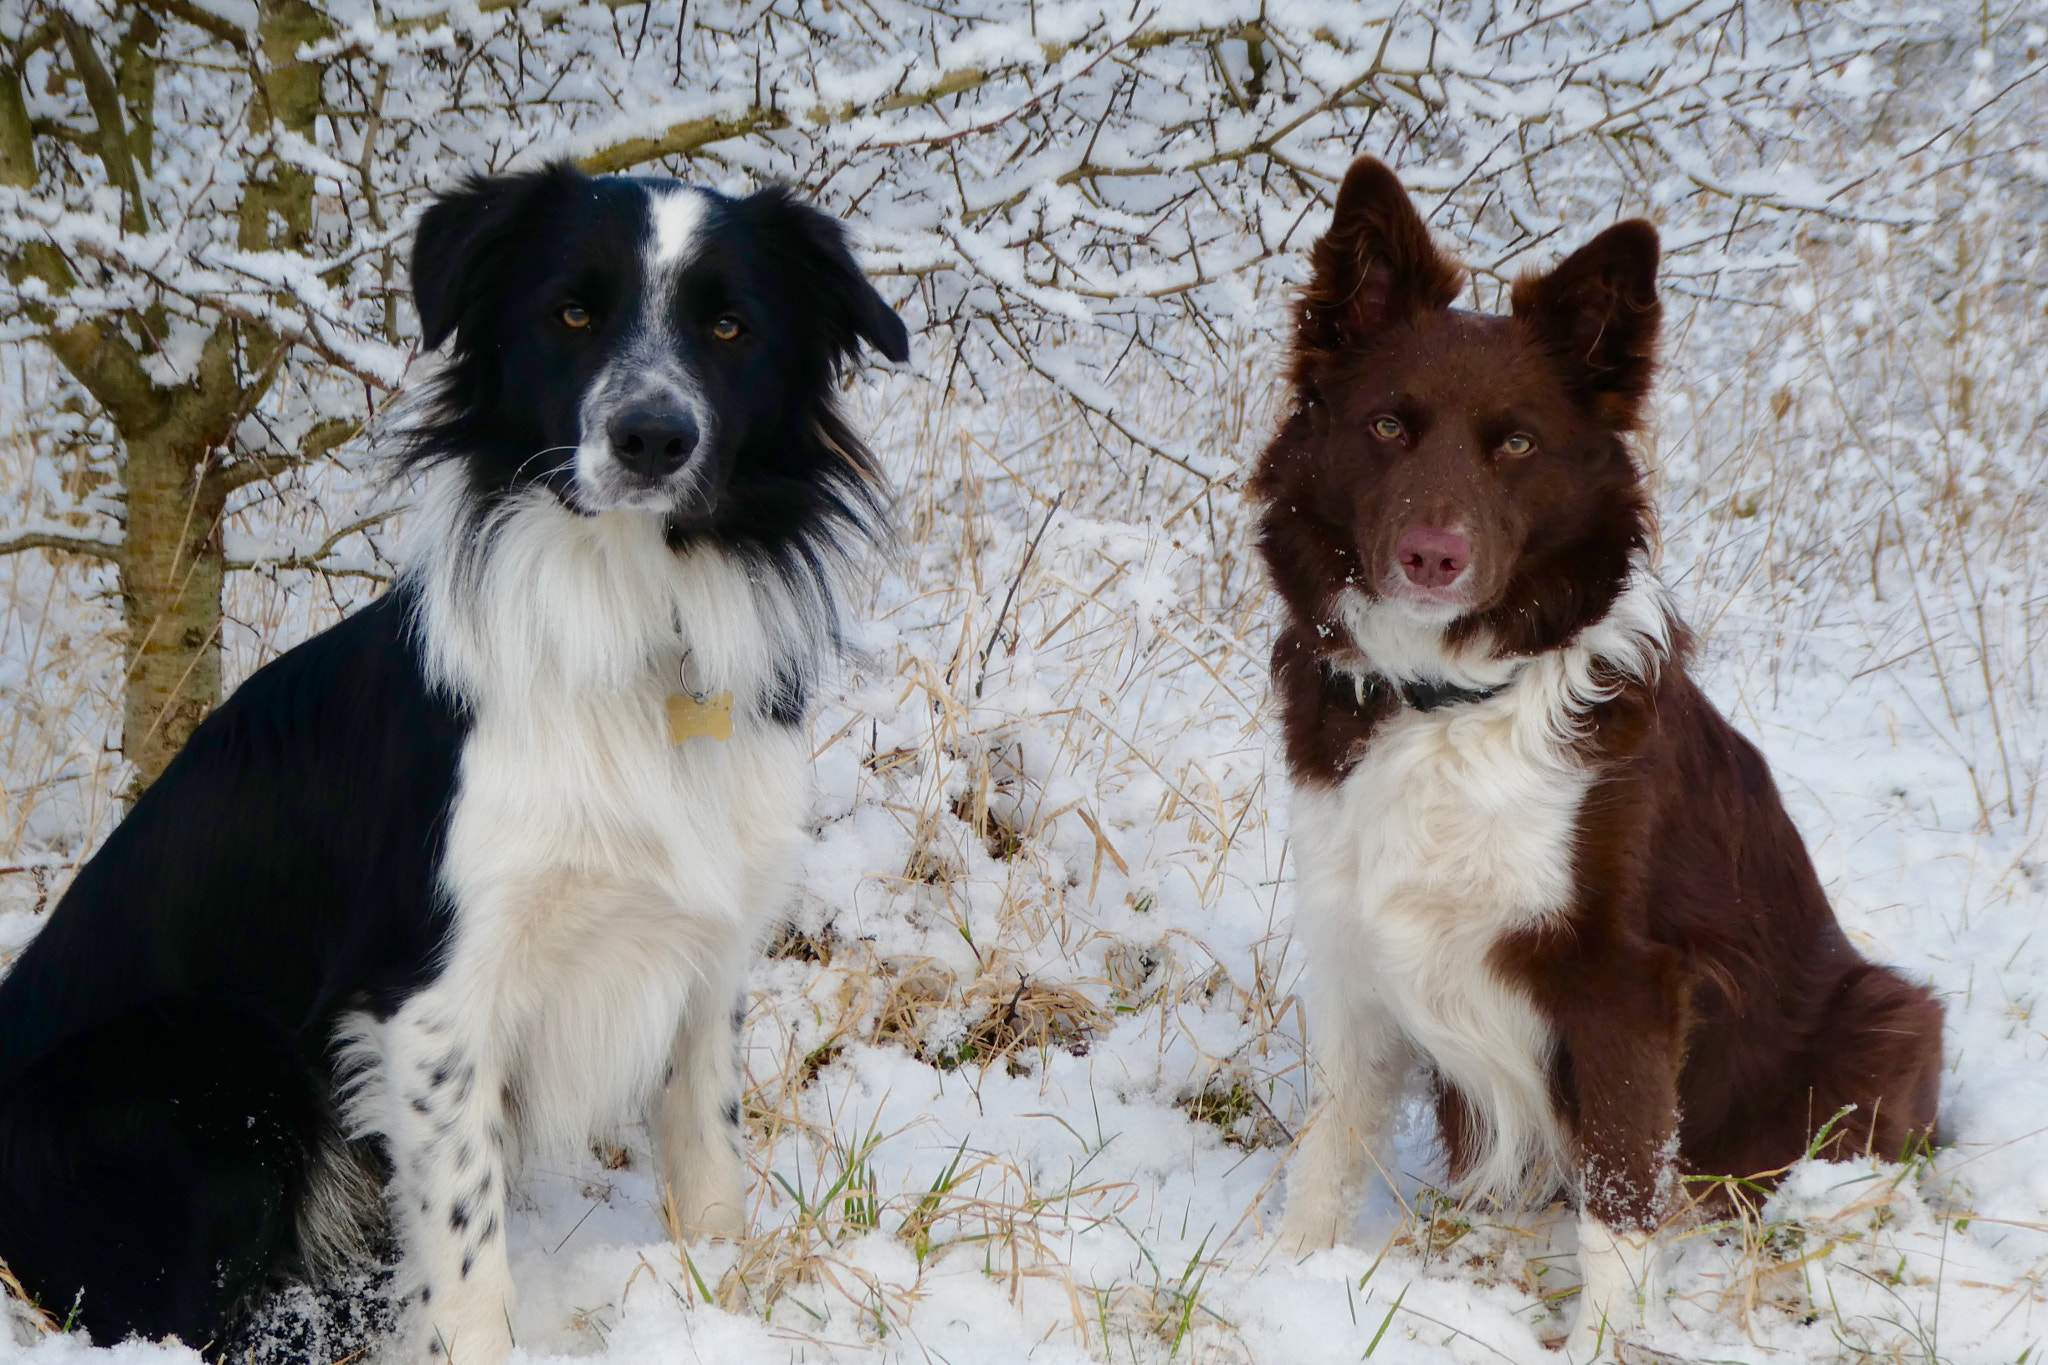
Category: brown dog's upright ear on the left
[1375,265]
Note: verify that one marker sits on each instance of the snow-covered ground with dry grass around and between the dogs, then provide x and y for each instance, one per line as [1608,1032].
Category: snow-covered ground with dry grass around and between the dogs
[1027,1065]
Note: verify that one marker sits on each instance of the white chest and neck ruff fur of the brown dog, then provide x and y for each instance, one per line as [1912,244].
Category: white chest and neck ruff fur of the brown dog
[1455,832]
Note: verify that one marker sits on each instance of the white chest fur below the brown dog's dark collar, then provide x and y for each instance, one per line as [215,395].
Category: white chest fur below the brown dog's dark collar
[1449,836]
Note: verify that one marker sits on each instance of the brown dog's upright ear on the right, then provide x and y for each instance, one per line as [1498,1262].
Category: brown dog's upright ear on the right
[1598,316]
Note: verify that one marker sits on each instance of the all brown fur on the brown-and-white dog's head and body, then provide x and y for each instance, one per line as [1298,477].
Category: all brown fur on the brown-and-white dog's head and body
[1701,977]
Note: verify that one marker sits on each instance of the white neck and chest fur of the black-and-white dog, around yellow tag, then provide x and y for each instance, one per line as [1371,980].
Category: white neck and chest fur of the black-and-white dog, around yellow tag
[605,879]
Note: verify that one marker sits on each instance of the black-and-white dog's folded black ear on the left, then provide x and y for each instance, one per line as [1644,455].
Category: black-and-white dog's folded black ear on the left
[462,245]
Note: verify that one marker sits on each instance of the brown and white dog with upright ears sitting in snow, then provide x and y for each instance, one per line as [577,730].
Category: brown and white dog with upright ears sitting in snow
[1535,863]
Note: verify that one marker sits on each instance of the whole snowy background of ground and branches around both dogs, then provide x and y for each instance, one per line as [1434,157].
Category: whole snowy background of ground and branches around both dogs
[1027,1071]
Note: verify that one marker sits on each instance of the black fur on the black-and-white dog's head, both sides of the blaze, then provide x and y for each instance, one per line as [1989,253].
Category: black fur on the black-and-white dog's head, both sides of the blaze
[503,255]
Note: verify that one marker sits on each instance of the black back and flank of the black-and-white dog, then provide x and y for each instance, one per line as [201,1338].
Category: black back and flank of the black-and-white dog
[265,885]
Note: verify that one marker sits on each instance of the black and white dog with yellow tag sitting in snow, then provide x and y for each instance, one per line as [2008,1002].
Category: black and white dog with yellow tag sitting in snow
[476,873]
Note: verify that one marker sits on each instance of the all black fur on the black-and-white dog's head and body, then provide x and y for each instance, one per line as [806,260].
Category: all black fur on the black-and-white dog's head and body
[169,1088]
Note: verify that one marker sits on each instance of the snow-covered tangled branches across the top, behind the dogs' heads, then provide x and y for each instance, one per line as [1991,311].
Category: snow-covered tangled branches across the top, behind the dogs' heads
[1046,183]
